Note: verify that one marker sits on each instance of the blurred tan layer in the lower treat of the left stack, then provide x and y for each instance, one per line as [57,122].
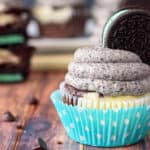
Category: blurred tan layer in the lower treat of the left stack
[8,57]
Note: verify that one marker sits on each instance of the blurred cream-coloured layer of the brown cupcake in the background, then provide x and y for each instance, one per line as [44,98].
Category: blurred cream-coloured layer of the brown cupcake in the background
[47,14]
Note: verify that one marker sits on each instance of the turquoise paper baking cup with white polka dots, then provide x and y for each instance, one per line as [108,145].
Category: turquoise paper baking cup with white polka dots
[101,128]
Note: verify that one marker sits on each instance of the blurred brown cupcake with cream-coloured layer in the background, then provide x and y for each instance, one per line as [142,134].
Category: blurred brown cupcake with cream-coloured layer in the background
[65,18]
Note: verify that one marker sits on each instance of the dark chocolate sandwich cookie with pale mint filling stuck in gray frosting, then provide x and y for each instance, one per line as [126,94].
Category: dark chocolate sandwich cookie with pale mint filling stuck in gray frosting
[129,29]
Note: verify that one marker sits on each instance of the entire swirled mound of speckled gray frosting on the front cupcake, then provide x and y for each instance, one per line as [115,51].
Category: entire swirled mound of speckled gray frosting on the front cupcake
[109,72]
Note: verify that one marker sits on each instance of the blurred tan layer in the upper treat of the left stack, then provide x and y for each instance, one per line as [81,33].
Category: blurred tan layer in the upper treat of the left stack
[7,19]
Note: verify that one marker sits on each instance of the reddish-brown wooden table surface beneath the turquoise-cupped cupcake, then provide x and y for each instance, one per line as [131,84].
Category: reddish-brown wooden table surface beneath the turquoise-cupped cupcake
[41,120]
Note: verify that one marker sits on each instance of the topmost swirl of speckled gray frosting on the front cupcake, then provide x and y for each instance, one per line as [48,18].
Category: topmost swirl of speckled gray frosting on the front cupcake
[104,55]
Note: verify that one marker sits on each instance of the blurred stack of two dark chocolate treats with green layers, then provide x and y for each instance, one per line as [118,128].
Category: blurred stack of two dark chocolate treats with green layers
[14,52]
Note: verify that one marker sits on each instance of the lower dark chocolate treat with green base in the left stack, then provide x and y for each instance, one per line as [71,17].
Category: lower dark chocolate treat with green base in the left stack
[15,63]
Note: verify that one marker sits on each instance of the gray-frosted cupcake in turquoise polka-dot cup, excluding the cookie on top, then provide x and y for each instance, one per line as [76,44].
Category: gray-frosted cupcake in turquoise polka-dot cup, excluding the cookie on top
[105,98]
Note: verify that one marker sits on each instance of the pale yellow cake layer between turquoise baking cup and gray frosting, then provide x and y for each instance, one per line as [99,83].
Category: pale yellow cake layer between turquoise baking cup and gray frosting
[93,101]
